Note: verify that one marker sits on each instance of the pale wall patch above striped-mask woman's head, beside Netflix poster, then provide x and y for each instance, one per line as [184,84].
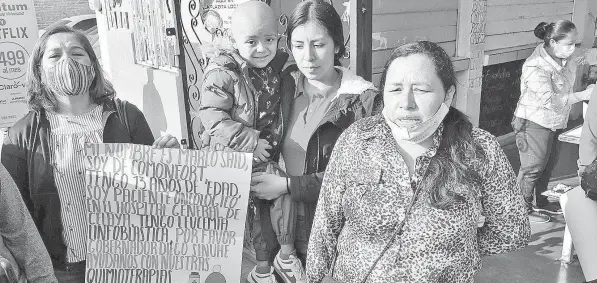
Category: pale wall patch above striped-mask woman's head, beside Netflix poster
[49,11]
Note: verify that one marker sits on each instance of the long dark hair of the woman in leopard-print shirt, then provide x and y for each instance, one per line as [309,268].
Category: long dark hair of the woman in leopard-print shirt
[448,167]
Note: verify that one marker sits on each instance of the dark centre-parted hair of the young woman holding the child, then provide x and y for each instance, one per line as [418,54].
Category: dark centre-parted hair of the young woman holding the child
[324,14]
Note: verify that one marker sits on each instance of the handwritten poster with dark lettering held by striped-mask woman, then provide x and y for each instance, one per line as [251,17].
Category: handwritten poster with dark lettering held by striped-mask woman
[165,215]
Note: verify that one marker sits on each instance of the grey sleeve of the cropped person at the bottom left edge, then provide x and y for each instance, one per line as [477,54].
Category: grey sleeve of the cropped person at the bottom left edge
[24,248]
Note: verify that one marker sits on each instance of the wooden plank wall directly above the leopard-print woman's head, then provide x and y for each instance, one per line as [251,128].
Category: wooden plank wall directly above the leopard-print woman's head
[399,22]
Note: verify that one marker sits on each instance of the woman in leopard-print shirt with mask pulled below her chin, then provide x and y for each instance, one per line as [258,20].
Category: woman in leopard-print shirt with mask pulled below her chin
[404,189]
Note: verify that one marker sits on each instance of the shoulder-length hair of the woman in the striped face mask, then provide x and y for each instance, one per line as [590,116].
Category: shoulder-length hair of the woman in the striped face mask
[101,90]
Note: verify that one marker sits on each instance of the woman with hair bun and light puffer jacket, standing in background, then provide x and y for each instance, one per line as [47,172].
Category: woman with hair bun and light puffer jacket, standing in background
[542,113]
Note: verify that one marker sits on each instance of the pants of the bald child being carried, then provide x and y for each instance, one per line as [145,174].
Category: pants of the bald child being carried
[281,211]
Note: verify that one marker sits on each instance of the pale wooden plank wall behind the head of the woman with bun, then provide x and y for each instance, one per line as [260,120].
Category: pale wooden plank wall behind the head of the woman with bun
[510,23]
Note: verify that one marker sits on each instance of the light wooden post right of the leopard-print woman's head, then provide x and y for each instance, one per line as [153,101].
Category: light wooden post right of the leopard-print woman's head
[471,44]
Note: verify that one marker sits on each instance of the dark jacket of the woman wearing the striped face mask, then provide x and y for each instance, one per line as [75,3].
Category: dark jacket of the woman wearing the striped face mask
[27,157]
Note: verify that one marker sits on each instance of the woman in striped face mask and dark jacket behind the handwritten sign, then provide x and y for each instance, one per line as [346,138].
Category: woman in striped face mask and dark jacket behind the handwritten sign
[71,104]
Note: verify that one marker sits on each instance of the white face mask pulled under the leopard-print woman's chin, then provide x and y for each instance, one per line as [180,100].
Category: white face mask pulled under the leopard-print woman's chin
[421,131]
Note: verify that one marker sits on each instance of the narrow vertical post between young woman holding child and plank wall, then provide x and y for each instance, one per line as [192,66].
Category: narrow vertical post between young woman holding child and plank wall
[361,12]
